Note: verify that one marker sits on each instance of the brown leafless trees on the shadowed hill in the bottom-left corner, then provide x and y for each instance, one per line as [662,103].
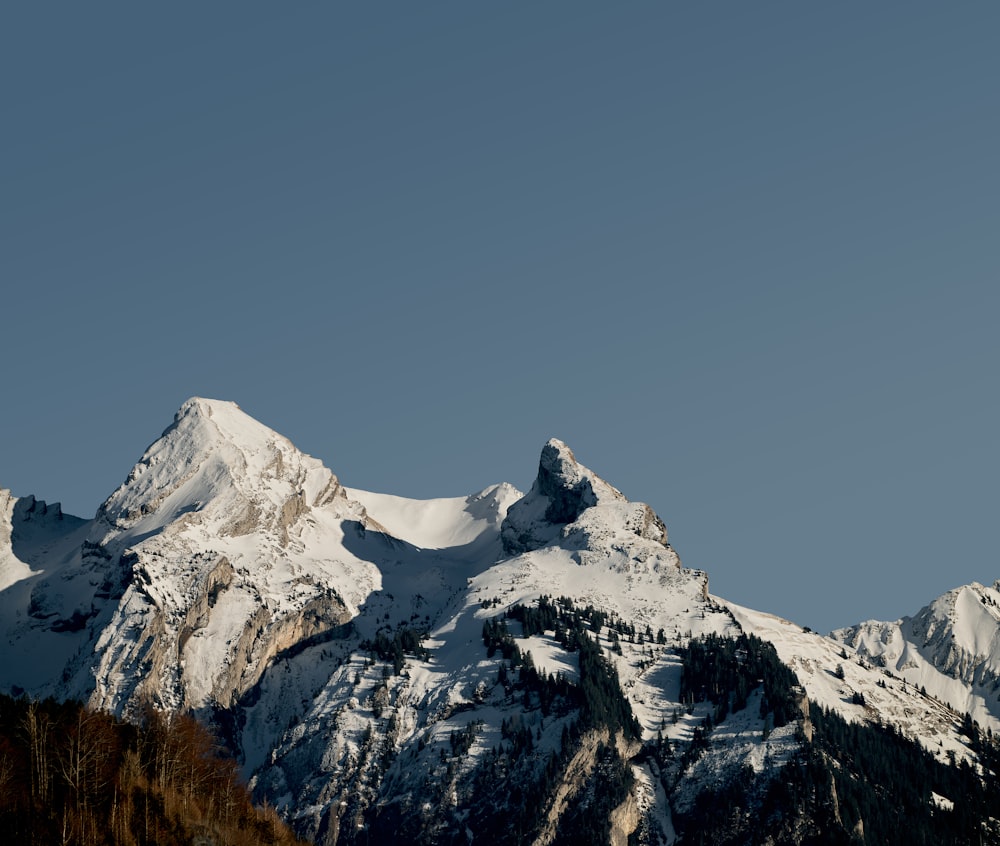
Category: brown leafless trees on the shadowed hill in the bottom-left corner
[73,776]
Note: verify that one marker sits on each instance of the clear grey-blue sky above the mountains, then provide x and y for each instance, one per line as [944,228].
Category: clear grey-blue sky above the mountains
[742,257]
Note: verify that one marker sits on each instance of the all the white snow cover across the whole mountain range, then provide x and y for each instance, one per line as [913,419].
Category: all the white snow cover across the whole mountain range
[221,500]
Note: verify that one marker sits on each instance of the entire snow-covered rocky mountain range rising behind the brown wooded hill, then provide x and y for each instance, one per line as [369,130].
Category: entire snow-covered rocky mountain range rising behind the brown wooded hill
[503,666]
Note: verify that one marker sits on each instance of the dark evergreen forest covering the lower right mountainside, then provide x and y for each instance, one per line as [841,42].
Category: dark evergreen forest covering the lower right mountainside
[853,783]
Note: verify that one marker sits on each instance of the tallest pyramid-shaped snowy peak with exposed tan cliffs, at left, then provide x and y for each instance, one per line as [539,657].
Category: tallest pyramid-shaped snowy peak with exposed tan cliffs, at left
[222,549]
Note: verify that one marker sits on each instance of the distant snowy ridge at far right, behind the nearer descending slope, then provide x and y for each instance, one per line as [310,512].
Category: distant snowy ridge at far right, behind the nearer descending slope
[950,649]
